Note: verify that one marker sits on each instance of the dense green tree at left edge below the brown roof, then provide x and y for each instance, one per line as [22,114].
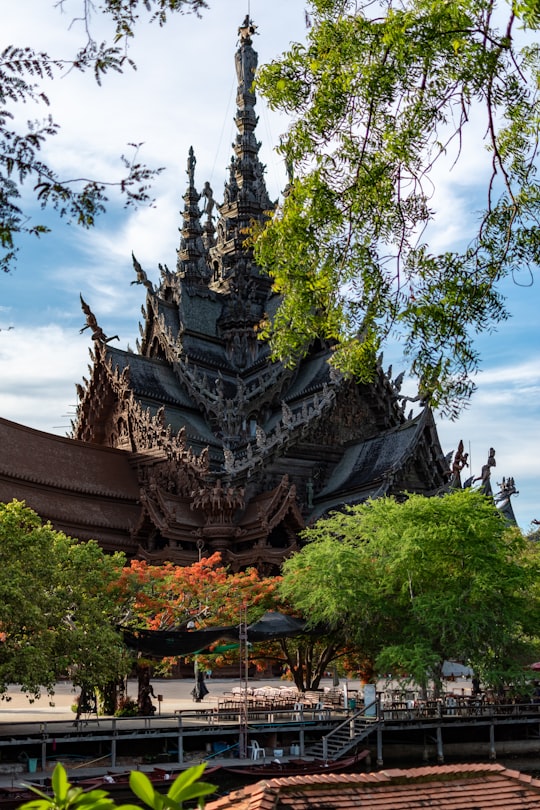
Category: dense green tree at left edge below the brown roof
[56,610]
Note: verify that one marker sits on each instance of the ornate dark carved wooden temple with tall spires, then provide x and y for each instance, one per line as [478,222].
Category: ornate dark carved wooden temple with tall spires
[199,442]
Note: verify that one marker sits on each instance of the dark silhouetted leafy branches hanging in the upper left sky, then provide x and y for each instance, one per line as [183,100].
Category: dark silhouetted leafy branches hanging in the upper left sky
[22,73]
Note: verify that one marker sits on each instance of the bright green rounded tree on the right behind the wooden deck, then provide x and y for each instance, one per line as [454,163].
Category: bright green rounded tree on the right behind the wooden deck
[422,581]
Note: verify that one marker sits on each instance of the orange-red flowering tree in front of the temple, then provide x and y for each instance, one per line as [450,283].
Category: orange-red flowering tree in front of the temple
[208,595]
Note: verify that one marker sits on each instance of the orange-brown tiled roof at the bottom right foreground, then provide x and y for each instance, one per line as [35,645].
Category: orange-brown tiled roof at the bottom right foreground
[450,787]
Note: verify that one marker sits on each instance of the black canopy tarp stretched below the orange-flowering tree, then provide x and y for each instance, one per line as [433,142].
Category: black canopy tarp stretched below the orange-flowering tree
[163,643]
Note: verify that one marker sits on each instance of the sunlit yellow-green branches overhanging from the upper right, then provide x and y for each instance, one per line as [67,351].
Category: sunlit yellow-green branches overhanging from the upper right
[385,99]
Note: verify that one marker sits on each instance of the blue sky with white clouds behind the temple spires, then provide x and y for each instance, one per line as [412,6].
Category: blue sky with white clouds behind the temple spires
[183,94]
